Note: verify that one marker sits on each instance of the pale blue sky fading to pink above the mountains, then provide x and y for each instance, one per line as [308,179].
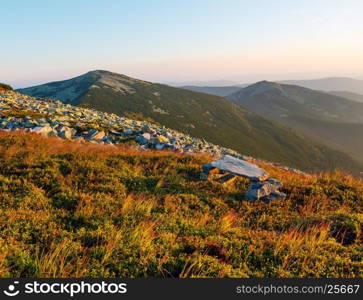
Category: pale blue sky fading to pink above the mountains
[180,41]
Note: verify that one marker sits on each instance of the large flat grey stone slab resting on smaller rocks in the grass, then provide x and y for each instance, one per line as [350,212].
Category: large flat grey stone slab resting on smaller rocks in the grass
[237,167]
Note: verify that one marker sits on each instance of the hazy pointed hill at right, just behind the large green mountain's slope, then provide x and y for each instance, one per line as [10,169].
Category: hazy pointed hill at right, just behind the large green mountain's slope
[336,121]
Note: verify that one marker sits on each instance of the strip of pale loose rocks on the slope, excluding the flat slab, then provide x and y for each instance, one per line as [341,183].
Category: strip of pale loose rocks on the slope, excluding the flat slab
[49,117]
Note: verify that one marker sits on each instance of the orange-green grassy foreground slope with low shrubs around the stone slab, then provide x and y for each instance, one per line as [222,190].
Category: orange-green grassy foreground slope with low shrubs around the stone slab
[70,210]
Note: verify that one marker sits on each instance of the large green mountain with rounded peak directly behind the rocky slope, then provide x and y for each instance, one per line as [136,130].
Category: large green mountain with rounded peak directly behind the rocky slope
[213,118]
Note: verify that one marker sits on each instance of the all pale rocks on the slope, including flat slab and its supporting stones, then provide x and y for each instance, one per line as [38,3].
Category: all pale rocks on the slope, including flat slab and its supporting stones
[48,117]
